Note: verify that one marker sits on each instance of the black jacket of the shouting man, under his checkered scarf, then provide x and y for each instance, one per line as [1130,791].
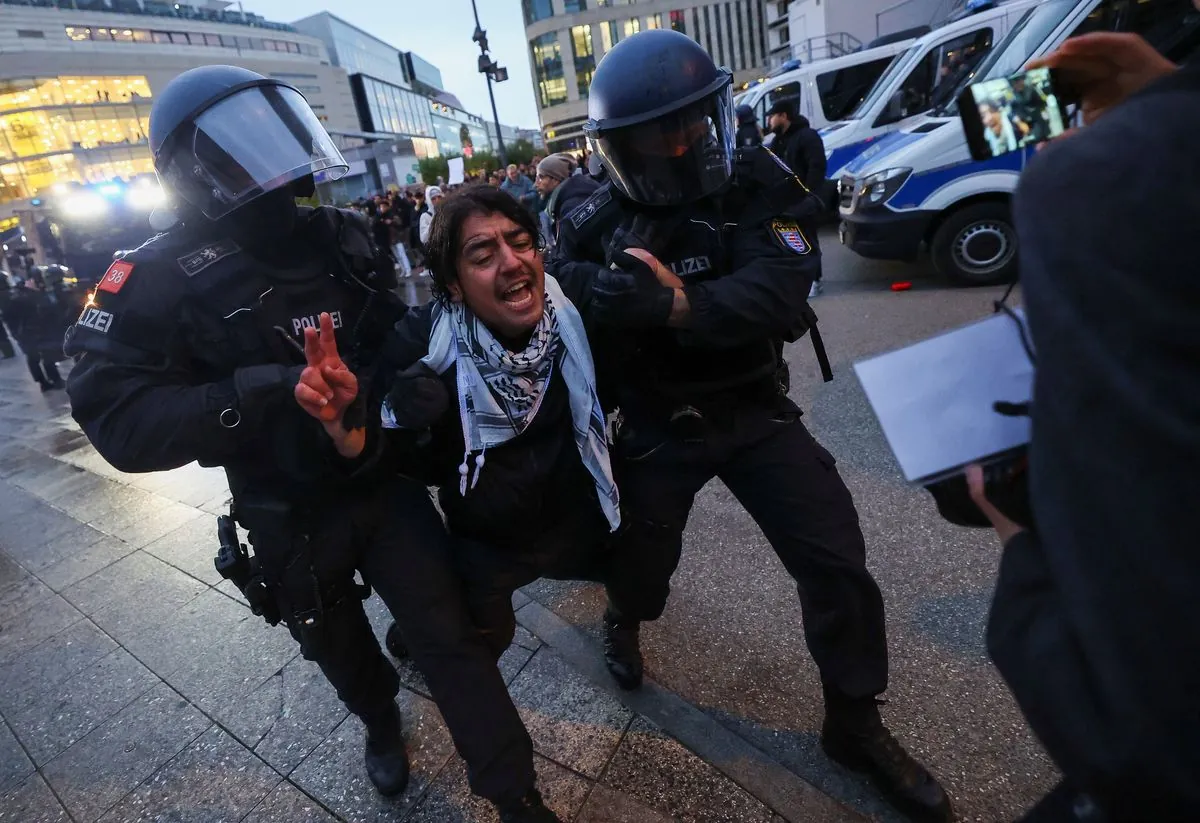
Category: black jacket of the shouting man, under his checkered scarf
[526,485]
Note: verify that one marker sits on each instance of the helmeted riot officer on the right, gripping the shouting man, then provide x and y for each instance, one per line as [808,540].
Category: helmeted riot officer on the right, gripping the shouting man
[703,260]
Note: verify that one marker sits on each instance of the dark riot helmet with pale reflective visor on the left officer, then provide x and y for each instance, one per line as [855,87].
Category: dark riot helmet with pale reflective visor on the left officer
[225,136]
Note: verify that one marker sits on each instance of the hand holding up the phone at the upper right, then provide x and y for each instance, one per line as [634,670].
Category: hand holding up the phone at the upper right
[1106,69]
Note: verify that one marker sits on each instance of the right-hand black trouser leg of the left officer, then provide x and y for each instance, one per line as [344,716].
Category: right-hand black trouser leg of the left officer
[410,563]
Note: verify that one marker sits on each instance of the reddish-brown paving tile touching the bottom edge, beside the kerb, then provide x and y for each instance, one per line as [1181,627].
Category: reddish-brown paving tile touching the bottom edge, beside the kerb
[657,771]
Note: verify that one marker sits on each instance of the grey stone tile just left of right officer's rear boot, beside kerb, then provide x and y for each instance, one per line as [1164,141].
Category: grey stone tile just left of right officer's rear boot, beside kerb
[571,720]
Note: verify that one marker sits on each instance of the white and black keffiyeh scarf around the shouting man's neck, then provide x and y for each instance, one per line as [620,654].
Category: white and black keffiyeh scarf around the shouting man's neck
[501,392]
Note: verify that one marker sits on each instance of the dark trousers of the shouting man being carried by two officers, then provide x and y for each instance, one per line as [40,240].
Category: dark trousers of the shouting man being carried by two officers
[573,548]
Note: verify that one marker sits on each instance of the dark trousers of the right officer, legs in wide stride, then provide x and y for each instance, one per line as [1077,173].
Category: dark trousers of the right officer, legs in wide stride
[789,484]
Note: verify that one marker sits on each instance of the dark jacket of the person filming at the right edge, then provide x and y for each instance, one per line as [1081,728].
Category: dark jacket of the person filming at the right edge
[1095,623]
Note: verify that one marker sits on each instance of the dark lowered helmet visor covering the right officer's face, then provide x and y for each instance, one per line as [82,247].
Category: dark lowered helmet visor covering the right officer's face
[675,159]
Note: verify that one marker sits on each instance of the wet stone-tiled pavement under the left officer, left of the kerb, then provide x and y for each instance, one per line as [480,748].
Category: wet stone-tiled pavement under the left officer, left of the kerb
[136,686]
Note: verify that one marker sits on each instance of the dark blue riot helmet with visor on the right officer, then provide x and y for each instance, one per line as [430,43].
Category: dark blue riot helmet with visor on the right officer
[661,118]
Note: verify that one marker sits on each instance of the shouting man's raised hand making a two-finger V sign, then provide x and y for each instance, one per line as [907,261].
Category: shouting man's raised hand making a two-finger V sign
[328,387]
